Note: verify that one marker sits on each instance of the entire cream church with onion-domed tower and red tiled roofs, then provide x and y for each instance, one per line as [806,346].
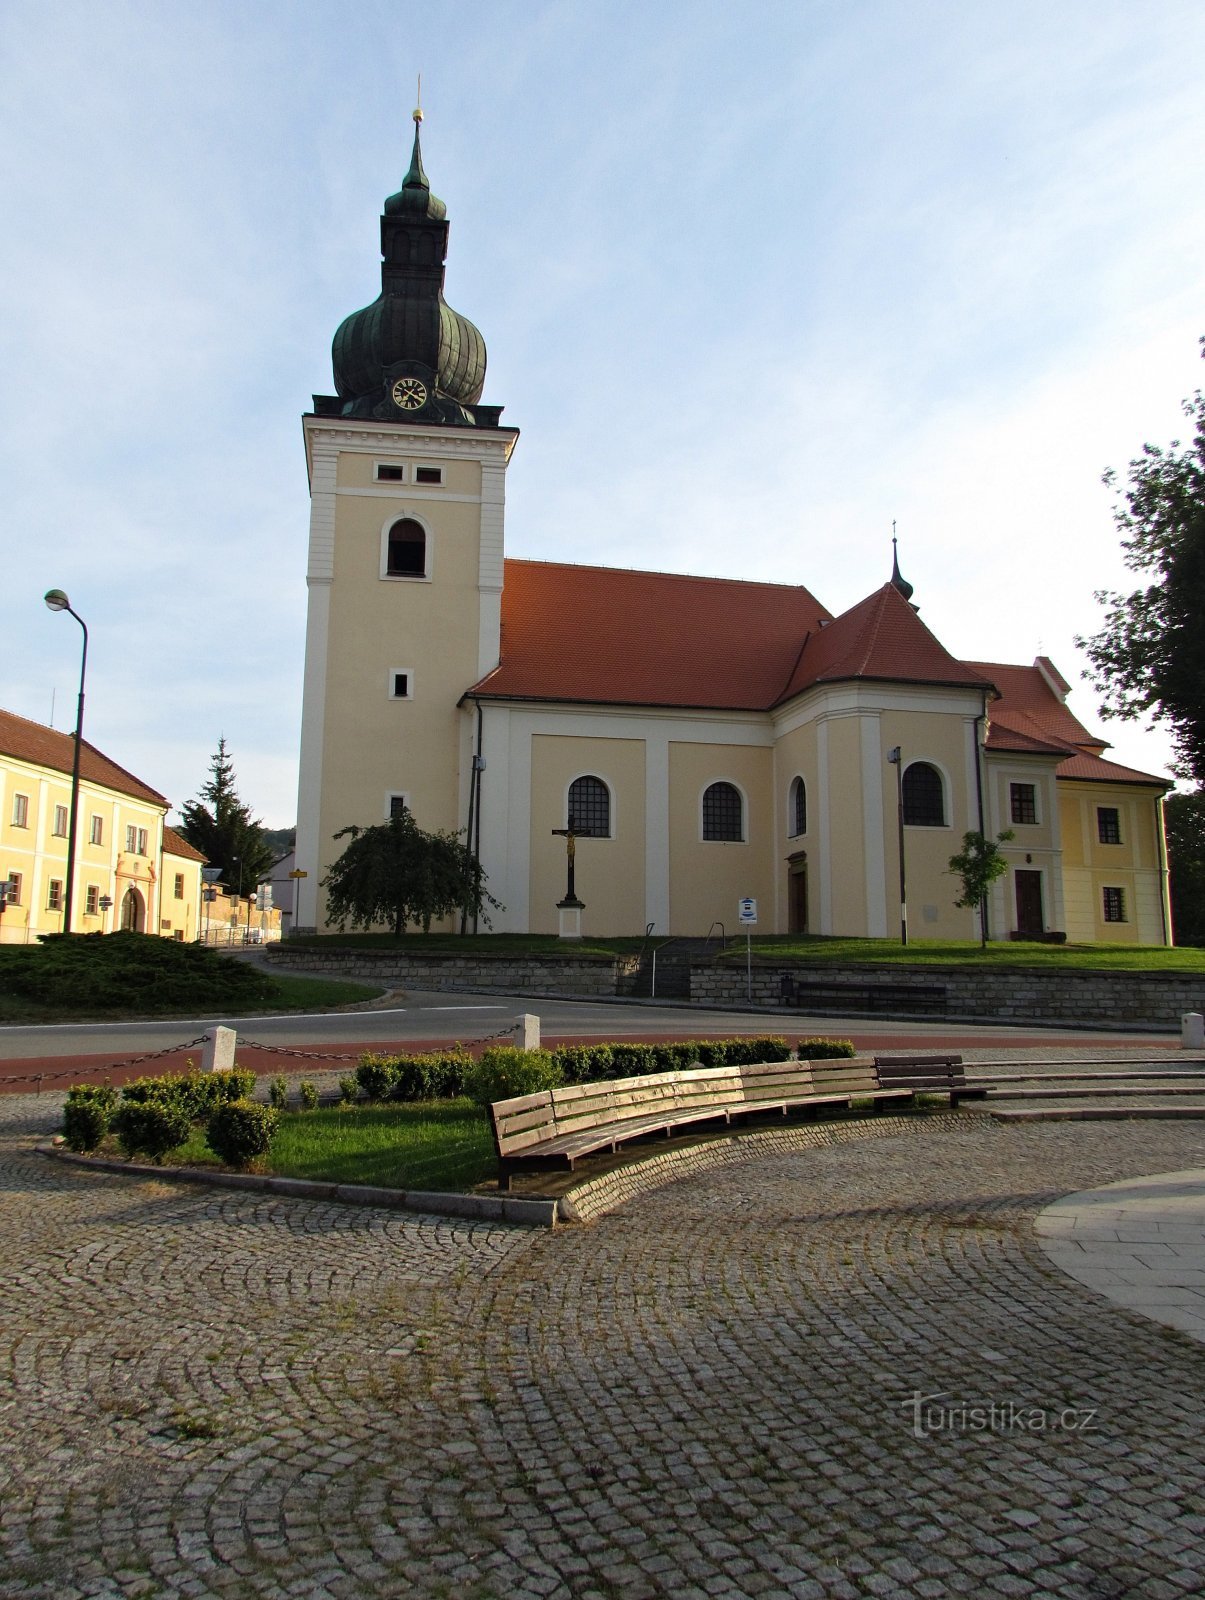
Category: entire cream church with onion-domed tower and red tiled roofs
[707,740]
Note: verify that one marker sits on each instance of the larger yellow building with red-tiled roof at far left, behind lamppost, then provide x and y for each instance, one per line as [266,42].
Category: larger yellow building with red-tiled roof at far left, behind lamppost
[132,871]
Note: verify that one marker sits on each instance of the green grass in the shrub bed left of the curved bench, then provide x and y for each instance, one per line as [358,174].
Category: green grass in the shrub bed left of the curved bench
[430,1145]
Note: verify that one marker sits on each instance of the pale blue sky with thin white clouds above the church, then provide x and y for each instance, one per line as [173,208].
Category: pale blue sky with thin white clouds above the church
[756,287]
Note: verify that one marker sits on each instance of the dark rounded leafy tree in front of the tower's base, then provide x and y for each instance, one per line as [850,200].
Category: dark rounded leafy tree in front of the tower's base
[396,874]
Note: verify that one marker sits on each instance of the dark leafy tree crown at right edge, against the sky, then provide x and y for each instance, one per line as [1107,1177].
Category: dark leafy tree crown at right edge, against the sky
[1150,657]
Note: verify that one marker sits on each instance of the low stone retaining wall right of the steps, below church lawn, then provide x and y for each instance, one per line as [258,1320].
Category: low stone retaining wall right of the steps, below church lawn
[1014,994]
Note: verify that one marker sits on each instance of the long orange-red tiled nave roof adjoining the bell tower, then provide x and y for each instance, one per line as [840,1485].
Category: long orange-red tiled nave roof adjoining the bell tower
[607,636]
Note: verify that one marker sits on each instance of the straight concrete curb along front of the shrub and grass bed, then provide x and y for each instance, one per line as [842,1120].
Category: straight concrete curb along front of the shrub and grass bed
[478,1209]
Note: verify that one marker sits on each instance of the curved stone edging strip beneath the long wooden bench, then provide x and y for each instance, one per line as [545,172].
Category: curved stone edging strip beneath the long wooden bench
[593,1198]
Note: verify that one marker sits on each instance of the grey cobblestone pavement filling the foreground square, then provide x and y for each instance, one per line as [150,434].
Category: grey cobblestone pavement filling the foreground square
[708,1393]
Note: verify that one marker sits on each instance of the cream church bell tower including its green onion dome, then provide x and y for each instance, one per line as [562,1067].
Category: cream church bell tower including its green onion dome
[407,476]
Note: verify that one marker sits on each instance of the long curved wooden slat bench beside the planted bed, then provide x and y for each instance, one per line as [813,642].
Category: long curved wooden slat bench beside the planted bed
[558,1127]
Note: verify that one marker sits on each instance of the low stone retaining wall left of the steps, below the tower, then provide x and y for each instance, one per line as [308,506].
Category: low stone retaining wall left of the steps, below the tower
[554,975]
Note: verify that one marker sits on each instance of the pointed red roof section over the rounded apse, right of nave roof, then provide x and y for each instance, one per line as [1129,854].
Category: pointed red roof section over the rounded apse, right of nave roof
[883,639]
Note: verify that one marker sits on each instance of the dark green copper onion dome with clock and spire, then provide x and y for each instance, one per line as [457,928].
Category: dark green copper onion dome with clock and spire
[410,356]
